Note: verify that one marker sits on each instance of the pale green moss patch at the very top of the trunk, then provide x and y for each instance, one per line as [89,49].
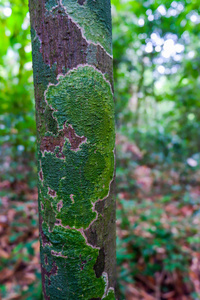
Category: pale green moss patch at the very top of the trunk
[94,17]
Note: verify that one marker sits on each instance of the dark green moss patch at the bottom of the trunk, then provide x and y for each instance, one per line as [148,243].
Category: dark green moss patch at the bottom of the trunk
[74,277]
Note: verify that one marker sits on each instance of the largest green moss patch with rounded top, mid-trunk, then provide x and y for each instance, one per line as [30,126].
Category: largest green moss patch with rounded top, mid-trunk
[82,99]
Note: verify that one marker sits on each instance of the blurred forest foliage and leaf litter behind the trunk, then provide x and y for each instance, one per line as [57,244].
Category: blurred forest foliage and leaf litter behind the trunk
[156,47]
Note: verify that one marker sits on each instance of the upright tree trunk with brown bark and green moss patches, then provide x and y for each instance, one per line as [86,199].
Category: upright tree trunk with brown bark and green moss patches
[72,64]
